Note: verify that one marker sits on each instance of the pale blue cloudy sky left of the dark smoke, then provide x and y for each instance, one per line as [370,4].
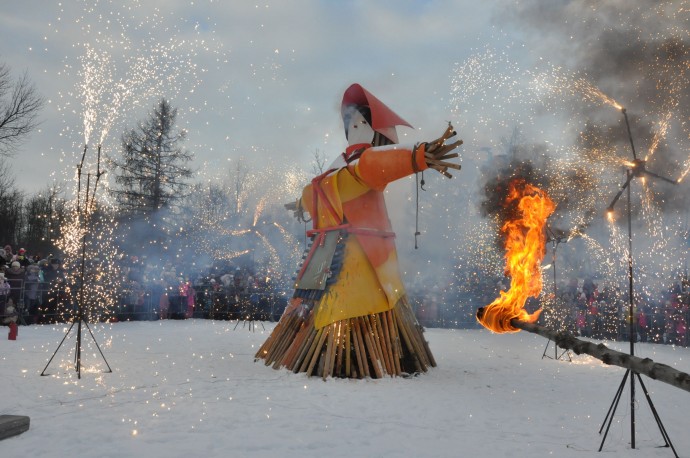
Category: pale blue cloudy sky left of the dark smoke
[266,78]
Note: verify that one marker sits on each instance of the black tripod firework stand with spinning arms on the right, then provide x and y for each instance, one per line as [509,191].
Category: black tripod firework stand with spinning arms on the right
[637,170]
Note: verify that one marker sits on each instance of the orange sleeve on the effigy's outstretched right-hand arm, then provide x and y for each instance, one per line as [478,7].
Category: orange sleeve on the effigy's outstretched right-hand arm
[379,166]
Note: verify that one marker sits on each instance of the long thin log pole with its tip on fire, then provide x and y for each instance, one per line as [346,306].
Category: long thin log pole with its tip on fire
[646,366]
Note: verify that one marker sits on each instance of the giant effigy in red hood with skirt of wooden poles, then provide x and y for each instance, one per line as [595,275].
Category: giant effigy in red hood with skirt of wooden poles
[349,315]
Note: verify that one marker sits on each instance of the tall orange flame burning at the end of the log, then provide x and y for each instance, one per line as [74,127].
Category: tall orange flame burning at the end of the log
[525,244]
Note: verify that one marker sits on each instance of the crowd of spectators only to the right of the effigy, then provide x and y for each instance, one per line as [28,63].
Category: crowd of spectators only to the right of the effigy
[584,307]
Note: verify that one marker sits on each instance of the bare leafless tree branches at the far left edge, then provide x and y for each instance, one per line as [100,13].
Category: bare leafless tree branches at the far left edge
[19,107]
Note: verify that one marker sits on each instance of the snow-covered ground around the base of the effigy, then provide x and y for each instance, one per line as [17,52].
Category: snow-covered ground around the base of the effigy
[191,388]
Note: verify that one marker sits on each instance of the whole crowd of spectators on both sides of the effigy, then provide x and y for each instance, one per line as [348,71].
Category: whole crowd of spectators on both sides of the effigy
[32,290]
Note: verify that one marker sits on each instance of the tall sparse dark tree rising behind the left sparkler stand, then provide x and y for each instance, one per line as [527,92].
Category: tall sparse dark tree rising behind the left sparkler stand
[152,172]
